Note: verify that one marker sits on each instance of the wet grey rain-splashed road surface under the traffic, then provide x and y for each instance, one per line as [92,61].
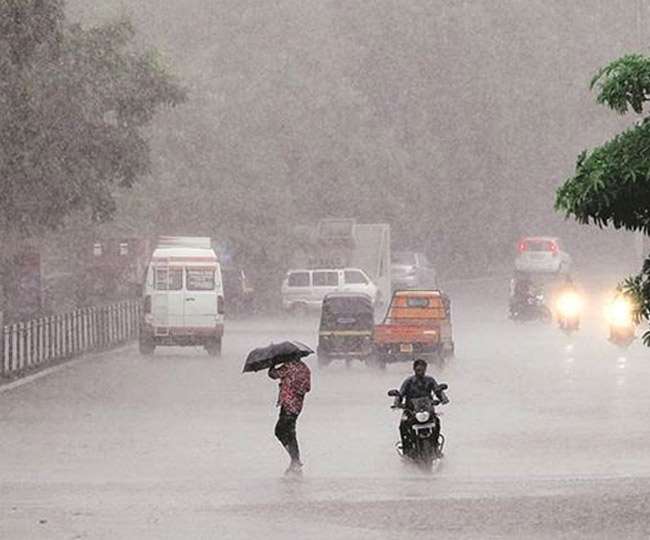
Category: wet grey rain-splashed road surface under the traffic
[546,438]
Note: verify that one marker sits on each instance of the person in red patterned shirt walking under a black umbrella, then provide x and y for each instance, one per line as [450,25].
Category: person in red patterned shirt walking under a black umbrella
[284,363]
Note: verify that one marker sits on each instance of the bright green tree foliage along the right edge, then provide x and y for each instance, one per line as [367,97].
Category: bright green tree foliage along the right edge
[611,185]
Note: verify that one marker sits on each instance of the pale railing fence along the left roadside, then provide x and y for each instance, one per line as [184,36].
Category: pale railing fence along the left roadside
[28,345]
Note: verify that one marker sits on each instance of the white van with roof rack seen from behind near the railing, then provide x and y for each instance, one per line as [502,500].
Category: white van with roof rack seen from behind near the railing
[183,296]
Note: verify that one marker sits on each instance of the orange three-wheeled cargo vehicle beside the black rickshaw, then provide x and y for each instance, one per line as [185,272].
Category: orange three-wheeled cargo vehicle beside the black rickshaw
[417,325]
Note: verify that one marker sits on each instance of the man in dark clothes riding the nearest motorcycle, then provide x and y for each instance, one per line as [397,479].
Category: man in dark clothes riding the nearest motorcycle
[418,385]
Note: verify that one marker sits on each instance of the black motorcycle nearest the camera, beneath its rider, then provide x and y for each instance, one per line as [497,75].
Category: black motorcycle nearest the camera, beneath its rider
[424,424]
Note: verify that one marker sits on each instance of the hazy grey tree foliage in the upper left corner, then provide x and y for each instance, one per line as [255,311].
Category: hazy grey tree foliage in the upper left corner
[73,106]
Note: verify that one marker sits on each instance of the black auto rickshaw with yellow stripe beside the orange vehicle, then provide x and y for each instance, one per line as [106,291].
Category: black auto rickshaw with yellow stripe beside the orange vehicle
[346,326]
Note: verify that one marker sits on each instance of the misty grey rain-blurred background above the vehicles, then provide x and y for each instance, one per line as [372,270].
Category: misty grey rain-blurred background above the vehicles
[453,121]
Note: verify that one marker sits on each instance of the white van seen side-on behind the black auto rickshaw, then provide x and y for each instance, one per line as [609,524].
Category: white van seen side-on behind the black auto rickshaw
[305,289]
